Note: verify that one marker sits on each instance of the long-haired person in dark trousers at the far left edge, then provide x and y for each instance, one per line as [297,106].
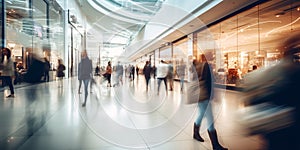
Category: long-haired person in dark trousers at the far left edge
[8,70]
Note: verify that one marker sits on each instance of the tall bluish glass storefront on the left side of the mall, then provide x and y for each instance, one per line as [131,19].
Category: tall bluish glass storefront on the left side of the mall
[34,29]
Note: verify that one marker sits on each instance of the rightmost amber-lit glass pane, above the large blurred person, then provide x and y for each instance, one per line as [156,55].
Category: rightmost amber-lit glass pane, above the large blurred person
[280,19]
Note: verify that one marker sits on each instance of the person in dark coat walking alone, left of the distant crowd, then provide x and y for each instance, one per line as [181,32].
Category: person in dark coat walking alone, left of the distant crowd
[85,71]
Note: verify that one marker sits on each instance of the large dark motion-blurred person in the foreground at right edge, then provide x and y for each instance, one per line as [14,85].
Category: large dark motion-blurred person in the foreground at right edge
[280,88]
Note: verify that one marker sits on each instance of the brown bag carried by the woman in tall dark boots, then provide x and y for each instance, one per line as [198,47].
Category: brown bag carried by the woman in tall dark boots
[196,89]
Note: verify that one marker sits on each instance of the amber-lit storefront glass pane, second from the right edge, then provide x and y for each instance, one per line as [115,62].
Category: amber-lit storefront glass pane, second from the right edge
[249,26]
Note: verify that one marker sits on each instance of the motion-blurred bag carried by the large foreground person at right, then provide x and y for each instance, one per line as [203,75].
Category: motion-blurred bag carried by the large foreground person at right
[265,118]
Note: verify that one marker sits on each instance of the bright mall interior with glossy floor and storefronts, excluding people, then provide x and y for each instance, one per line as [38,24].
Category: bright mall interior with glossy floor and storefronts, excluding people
[236,37]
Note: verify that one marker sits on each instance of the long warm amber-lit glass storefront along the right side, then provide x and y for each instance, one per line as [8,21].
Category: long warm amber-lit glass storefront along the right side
[237,45]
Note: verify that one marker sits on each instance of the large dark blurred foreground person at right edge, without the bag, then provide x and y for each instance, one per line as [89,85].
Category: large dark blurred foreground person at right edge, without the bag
[283,91]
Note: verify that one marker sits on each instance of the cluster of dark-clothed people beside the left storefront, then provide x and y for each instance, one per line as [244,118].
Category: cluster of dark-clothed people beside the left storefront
[38,70]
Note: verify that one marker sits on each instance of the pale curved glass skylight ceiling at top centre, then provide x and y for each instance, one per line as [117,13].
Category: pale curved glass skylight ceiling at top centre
[119,20]
